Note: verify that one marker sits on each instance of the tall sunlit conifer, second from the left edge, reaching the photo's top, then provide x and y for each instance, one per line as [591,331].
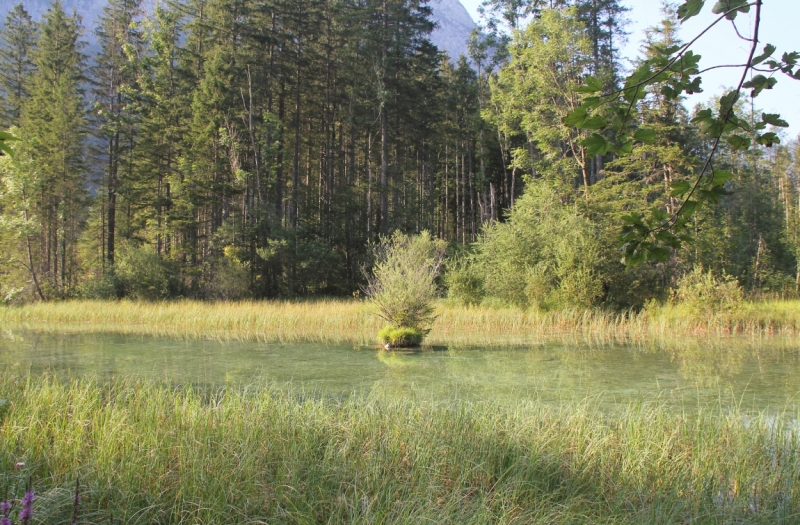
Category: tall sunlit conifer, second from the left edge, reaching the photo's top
[53,128]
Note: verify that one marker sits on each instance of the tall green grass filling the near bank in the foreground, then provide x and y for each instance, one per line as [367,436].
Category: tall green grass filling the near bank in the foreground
[148,454]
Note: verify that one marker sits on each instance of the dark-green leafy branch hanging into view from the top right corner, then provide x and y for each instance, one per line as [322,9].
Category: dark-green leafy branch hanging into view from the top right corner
[657,235]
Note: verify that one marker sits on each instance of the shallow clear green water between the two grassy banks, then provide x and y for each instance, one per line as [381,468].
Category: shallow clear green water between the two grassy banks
[755,376]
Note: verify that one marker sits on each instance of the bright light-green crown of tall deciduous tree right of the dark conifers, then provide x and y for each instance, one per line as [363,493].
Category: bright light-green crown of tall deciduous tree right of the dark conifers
[535,91]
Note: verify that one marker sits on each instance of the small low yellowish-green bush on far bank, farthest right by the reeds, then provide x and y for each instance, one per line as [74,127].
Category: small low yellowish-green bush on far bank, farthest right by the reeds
[701,291]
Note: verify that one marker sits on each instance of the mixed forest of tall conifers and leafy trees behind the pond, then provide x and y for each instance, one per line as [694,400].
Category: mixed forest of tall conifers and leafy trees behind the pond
[232,149]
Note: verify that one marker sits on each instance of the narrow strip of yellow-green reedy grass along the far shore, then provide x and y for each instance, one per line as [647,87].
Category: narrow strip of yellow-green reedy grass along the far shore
[343,321]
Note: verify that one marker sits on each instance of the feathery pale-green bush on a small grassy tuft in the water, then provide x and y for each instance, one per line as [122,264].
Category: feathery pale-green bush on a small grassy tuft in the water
[402,286]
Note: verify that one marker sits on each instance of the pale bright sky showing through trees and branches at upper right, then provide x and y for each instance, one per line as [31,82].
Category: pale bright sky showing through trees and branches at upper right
[721,46]
